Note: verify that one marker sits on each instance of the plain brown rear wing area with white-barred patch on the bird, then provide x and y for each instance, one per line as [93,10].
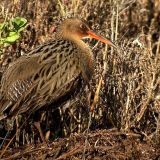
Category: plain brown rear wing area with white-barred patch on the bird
[17,78]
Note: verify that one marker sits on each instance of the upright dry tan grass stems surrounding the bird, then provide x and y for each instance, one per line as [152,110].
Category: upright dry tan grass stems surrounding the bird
[129,97]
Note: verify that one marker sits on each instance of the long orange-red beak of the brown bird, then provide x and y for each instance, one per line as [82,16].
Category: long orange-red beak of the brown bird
[100,38]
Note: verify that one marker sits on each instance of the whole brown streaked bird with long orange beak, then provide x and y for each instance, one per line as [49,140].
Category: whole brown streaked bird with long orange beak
[48,72]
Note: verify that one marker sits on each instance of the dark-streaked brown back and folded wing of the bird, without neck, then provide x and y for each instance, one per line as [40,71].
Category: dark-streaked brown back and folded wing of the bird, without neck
[39,78]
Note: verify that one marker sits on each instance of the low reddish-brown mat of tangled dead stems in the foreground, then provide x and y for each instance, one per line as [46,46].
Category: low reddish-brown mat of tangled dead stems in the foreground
[97,145]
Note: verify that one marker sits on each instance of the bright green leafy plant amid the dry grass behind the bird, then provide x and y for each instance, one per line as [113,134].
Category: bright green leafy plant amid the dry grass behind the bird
[10,31]
